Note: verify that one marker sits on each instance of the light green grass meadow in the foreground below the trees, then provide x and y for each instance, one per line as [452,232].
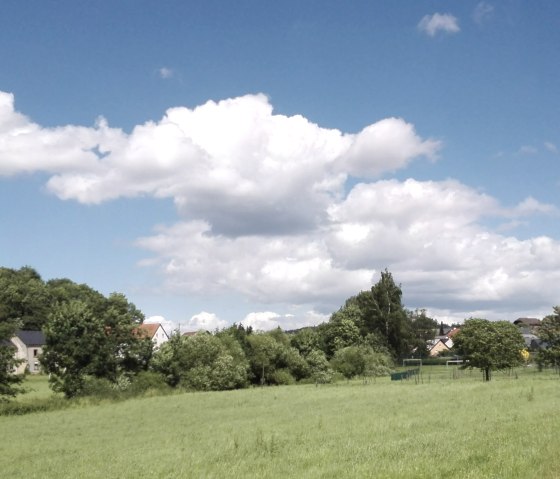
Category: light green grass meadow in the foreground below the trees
[441,425]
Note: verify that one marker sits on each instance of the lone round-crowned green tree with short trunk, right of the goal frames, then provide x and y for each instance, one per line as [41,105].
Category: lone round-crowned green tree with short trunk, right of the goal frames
[489,345]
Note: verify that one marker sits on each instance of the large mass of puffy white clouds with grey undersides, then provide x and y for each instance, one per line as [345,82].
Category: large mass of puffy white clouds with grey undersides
[280,210]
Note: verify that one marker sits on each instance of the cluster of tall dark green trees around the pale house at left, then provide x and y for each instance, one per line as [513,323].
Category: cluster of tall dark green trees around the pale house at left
[86,333]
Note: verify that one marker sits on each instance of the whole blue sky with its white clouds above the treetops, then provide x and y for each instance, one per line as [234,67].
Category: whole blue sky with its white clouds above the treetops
[260,162]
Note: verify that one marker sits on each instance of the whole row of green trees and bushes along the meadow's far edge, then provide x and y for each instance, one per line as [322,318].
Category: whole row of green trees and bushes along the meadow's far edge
[92,337]
